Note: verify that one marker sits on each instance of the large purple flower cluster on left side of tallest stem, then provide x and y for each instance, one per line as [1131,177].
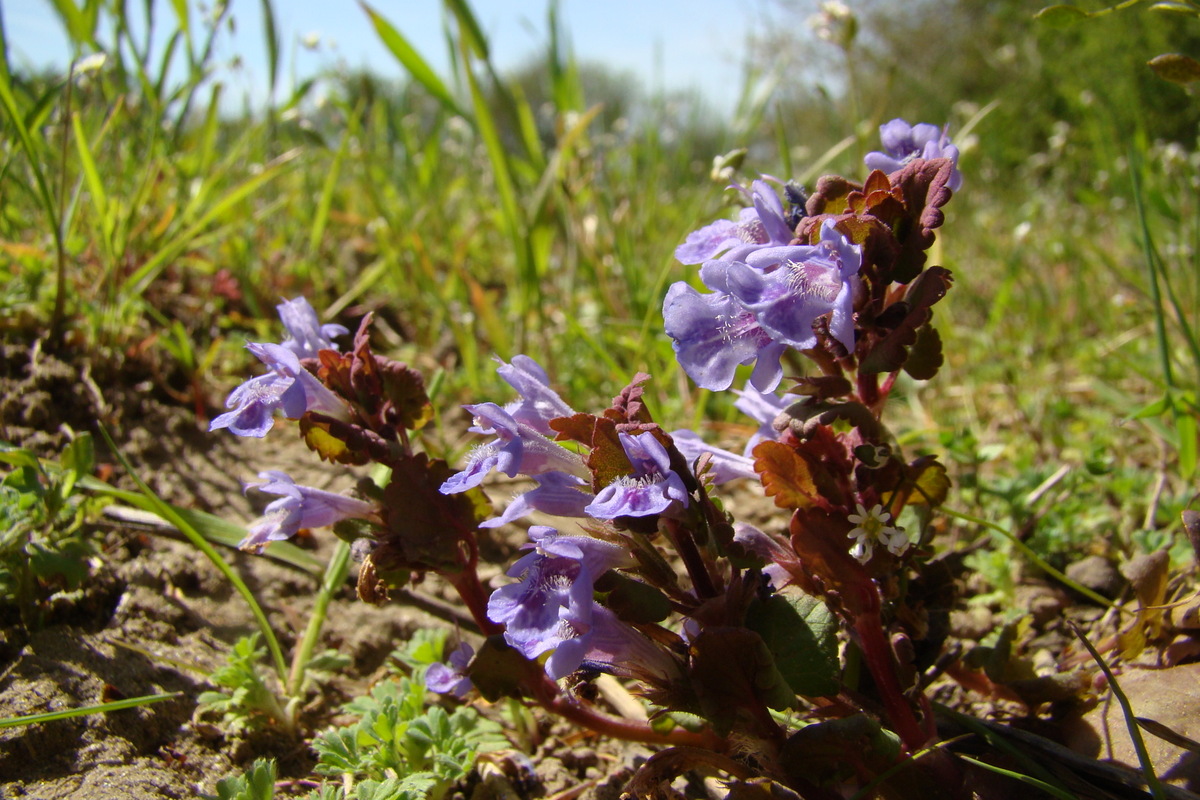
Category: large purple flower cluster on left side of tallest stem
[766,294]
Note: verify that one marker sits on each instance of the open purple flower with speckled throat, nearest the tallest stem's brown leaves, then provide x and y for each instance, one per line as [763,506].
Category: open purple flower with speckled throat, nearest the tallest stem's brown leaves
[789,288]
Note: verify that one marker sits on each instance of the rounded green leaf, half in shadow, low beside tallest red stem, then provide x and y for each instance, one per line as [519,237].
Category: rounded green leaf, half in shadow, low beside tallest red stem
[802,636]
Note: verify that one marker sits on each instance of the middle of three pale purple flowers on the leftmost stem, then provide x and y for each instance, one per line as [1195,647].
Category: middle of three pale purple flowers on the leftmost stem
[289,388]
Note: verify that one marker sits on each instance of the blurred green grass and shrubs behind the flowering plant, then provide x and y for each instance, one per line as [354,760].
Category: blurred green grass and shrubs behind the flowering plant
[537,212]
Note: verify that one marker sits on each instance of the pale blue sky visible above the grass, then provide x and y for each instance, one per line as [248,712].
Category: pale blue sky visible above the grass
[667,44]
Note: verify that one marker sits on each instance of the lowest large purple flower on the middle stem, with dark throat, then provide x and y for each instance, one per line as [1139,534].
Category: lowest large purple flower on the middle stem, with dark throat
[553,603]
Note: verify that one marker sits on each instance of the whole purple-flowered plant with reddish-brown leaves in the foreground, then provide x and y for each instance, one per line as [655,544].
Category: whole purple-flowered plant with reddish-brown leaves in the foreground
[649,578]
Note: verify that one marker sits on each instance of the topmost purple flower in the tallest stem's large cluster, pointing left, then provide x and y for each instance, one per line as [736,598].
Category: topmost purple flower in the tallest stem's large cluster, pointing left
[761,226]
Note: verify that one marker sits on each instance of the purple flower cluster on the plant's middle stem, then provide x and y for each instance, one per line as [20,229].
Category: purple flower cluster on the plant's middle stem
[551,609]
